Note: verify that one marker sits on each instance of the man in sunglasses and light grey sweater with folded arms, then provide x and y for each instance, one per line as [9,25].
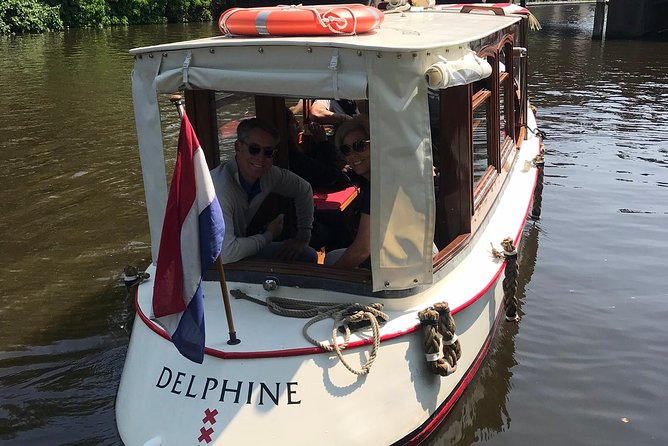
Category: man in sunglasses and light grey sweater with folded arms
[243,183]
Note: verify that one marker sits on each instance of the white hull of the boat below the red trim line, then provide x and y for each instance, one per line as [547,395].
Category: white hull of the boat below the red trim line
[257,401]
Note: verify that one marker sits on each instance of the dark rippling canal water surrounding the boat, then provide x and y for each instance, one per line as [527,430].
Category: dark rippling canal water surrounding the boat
[588,363]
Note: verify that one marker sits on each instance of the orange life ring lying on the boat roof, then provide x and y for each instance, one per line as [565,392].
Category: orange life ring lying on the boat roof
[297,20]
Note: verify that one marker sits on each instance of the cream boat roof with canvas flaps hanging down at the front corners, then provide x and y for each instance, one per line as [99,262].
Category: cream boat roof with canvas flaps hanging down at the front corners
[387,67]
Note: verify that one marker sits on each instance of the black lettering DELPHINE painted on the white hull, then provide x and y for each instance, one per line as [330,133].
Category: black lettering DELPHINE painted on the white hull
[239,392]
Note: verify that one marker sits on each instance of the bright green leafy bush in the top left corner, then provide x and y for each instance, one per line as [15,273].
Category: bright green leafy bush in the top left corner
[32,16]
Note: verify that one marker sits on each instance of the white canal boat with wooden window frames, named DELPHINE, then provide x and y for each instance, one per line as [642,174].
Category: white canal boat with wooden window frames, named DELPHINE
[384,352]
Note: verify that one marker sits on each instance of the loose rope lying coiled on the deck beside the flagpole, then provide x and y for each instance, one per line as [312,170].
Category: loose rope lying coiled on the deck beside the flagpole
[347,315]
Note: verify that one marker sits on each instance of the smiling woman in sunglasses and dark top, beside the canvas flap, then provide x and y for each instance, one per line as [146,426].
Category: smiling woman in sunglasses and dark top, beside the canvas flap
[353,141]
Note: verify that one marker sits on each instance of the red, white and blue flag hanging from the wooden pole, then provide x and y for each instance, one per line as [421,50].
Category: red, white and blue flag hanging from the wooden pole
[192,236]
